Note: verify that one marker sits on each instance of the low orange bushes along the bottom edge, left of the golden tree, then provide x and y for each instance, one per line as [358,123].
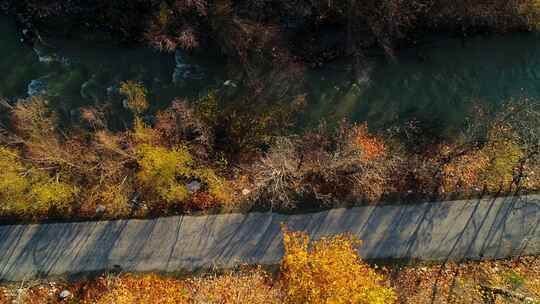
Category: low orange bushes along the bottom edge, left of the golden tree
[253,286]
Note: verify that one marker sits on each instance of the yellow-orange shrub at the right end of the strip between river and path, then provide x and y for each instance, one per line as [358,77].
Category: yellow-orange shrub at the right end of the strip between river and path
[509,139]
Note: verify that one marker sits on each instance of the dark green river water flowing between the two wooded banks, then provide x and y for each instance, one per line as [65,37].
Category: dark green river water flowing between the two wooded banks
[437,83]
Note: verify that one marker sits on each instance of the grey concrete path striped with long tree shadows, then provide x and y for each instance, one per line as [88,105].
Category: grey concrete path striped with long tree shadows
[457,230]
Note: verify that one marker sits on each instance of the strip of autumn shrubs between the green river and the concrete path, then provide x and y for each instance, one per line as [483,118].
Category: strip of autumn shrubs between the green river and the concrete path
[196,157]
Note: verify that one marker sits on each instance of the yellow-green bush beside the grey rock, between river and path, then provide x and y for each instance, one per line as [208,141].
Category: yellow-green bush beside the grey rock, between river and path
[162,171]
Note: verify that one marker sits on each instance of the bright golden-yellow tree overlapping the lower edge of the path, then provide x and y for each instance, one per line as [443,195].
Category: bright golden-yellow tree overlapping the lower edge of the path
[329,271]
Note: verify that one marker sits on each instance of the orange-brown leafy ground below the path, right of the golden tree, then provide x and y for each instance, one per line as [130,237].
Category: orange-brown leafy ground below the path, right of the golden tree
[466,282]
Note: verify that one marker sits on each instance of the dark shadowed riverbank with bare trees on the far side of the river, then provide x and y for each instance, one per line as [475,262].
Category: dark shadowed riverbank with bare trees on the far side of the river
[308,31]
